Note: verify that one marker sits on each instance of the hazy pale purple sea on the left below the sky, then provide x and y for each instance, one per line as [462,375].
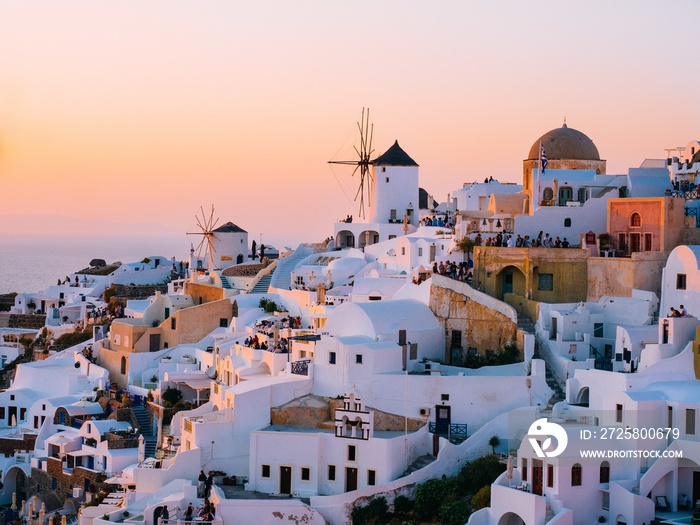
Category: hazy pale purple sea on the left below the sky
[32,263]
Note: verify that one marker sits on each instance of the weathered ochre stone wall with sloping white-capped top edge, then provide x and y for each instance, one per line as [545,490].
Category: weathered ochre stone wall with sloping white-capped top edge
[483,327]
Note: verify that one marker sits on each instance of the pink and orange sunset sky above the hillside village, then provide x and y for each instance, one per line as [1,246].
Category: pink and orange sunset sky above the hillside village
[128,116]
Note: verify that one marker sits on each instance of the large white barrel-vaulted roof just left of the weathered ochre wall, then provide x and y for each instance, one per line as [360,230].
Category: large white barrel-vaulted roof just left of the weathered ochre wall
[375,318]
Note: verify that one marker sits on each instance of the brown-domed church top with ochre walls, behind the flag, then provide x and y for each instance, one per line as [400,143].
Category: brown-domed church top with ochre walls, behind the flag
[566,149]
